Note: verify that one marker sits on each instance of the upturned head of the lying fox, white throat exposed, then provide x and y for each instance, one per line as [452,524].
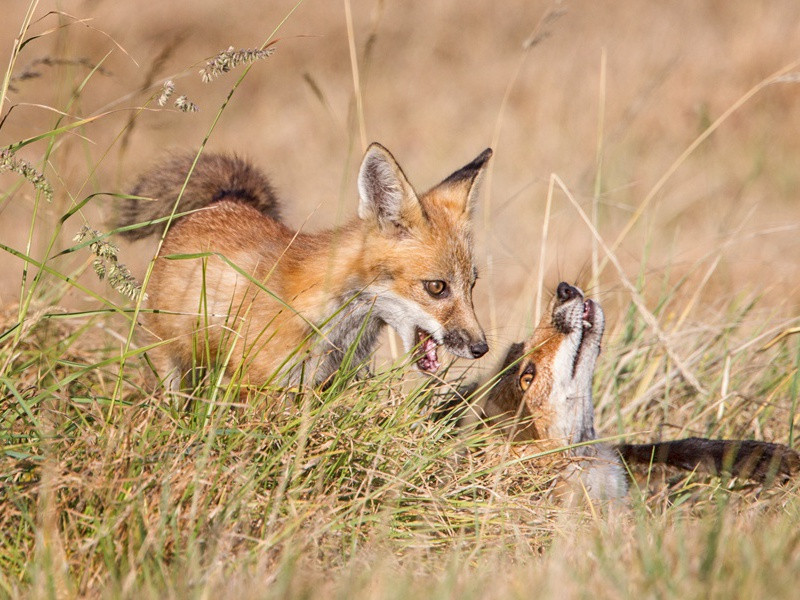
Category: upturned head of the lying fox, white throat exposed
[548,380]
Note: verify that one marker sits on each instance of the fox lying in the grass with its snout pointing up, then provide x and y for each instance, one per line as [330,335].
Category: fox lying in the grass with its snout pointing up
[543,395]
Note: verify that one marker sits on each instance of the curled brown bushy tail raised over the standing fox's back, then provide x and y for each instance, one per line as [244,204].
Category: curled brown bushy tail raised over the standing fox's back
[215,177]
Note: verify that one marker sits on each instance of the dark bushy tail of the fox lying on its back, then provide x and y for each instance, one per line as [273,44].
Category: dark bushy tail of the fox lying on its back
[759,461]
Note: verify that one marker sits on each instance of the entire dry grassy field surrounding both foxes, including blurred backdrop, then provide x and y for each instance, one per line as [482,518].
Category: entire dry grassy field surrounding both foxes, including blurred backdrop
[109,491]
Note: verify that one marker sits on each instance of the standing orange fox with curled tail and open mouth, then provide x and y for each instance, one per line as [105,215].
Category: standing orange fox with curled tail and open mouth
[234,284]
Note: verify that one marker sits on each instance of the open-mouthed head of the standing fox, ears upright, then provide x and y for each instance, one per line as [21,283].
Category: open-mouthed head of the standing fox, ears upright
[418,251]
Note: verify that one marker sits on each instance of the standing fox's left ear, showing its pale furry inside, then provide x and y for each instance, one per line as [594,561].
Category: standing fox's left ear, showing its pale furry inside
[384,192]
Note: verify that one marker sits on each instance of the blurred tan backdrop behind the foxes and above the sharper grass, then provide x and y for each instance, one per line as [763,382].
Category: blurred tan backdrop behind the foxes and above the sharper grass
[606,95]
